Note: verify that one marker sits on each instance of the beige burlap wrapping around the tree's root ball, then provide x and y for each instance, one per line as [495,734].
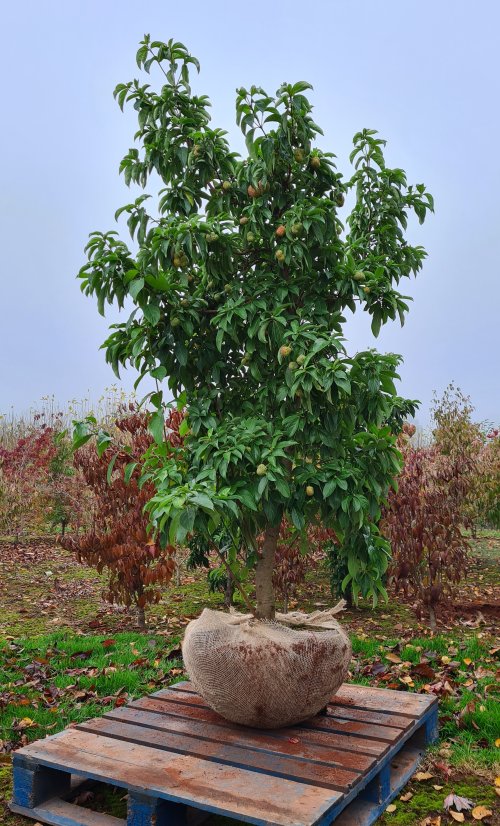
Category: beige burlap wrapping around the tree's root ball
[261,673]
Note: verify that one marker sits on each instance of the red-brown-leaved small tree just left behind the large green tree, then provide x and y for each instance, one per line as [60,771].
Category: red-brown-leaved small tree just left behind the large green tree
[118,539]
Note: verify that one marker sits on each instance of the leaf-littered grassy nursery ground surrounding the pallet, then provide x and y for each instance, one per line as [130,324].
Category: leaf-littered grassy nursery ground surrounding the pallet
[65,656]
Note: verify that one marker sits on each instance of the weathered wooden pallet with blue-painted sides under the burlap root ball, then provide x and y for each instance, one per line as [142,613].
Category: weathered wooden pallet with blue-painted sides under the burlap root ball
[173,754]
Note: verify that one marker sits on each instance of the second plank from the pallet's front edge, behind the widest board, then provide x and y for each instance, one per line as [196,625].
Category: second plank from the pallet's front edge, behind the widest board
[330,777]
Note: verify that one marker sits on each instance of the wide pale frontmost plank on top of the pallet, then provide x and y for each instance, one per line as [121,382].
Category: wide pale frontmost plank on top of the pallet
[256,798]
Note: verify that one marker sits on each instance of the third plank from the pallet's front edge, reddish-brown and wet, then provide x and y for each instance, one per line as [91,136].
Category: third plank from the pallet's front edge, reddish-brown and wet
[253,739]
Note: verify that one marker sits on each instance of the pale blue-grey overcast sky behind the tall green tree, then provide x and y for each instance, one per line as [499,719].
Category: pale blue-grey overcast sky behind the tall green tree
[426,74]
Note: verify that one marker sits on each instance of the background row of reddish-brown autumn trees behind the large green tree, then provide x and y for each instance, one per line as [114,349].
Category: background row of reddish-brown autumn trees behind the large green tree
[92,500]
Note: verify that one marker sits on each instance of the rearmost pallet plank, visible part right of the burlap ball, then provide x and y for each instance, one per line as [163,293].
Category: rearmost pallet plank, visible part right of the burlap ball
[383,699]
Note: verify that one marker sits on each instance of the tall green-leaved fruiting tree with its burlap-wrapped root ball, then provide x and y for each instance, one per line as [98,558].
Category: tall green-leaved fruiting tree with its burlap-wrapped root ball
[240,279]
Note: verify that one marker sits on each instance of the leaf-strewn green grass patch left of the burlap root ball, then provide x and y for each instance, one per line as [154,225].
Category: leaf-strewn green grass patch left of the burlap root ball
[51,681]
